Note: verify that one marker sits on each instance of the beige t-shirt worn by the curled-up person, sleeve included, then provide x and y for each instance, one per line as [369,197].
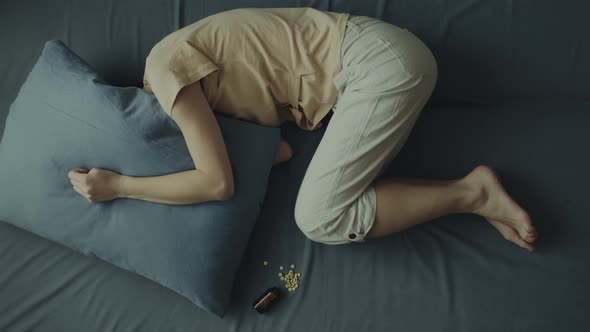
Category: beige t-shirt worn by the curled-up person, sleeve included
[264,65]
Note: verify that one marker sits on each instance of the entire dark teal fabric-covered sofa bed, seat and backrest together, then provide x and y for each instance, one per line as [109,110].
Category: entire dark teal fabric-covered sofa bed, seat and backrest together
[455,273]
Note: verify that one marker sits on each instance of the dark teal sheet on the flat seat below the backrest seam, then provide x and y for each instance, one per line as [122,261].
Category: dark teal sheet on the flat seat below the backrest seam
[456,273]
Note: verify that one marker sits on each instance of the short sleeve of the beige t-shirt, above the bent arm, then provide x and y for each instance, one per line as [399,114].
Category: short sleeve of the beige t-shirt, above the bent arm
[170,67]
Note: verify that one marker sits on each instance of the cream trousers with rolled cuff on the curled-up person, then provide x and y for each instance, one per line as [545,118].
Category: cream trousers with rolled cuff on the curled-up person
[387,76]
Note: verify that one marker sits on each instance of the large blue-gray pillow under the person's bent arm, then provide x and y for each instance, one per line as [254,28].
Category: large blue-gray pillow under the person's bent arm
[64,117]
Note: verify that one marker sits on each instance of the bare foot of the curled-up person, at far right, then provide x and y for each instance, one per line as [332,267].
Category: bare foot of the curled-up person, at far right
[494,204]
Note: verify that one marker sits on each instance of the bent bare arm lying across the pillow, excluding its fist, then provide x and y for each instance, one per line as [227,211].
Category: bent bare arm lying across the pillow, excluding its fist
[213,180]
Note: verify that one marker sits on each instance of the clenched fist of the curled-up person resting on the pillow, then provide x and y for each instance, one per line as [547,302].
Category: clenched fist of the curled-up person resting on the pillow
[96,184]
